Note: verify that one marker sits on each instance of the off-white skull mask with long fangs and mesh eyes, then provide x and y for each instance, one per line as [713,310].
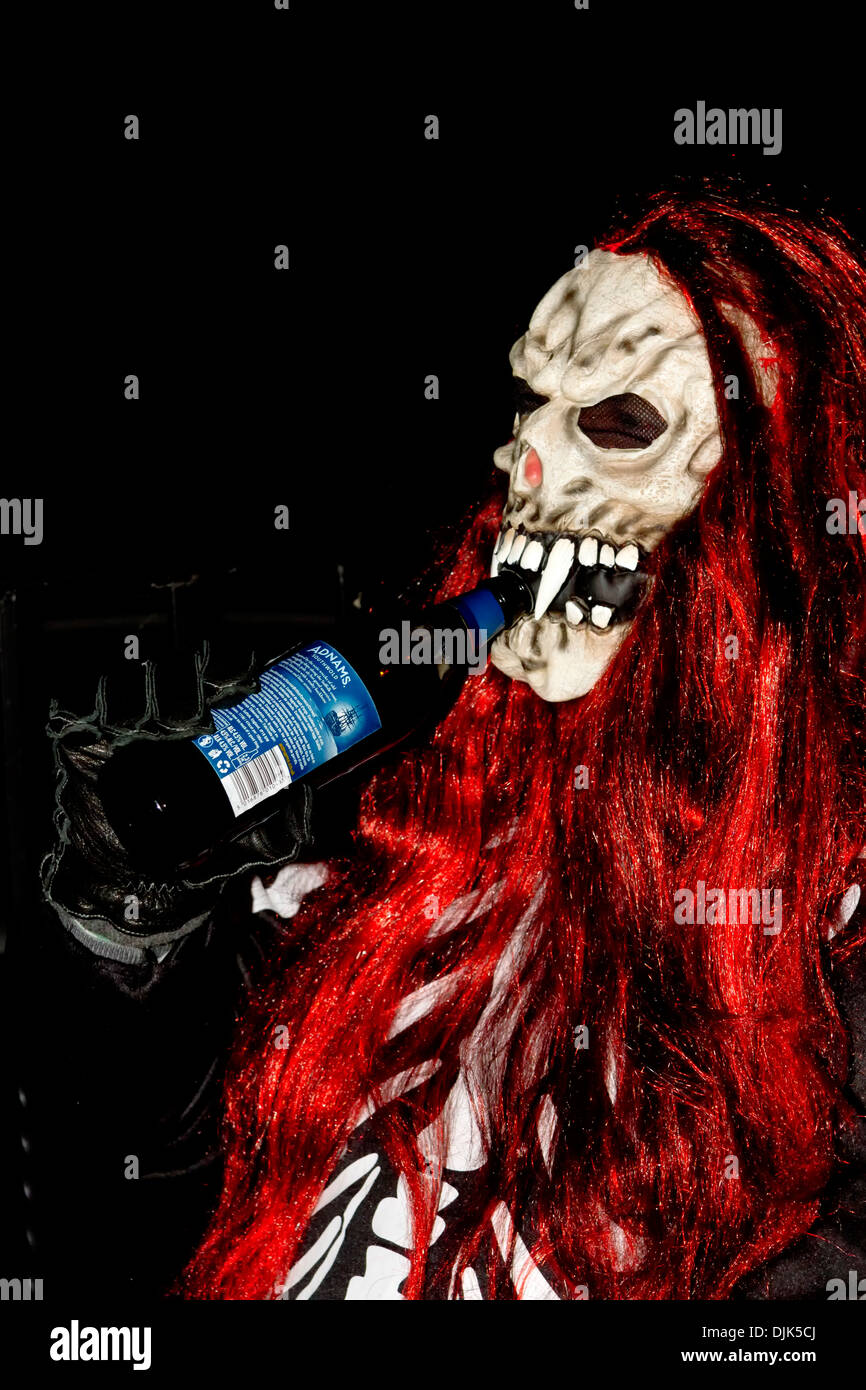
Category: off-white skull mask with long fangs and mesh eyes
[614,445]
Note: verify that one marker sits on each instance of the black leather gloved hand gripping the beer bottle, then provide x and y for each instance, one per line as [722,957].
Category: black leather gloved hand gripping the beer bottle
[88,876]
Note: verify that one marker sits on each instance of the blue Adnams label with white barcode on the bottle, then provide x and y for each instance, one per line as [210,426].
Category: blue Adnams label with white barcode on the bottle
[311,708]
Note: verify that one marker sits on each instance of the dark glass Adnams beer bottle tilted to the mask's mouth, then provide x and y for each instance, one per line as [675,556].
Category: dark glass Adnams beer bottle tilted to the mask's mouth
[325,710]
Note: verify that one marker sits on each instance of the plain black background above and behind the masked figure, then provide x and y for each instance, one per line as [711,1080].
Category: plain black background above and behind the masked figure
[307,387]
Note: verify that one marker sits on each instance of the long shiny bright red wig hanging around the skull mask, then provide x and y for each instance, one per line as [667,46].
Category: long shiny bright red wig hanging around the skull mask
[726,1042]
